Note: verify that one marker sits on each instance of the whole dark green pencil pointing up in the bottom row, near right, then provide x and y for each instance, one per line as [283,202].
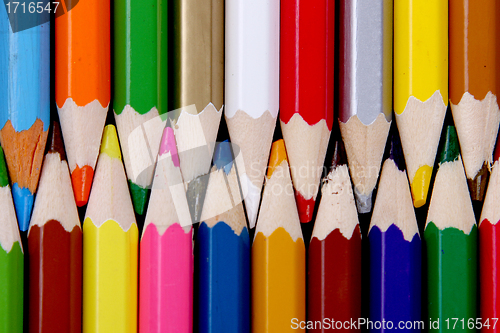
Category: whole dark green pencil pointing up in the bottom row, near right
[451,240]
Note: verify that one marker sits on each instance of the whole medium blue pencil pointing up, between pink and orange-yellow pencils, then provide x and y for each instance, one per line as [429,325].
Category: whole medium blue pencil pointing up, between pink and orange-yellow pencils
[223,252]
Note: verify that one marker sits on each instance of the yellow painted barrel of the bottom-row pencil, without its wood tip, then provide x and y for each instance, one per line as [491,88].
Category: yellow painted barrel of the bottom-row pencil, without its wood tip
[109,278]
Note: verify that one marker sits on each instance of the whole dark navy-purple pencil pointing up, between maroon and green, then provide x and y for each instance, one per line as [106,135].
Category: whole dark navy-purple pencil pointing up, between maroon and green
[395,245]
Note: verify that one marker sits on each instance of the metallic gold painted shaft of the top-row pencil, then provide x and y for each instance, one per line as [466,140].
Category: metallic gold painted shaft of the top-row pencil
[198,51]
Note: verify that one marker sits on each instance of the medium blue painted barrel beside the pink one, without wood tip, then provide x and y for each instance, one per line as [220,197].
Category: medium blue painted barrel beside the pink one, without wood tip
[223,267]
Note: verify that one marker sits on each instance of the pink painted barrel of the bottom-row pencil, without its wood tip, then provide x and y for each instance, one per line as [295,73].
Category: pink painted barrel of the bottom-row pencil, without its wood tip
[166,281]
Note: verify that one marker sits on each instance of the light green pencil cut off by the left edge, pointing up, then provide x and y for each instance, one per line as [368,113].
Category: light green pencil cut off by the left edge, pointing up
[11,260]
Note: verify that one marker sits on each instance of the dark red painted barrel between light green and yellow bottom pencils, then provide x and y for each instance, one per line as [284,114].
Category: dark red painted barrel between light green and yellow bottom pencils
[55,288]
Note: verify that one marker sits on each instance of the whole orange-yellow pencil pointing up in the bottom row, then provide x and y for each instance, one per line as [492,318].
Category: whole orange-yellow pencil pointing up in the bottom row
[278,253]
